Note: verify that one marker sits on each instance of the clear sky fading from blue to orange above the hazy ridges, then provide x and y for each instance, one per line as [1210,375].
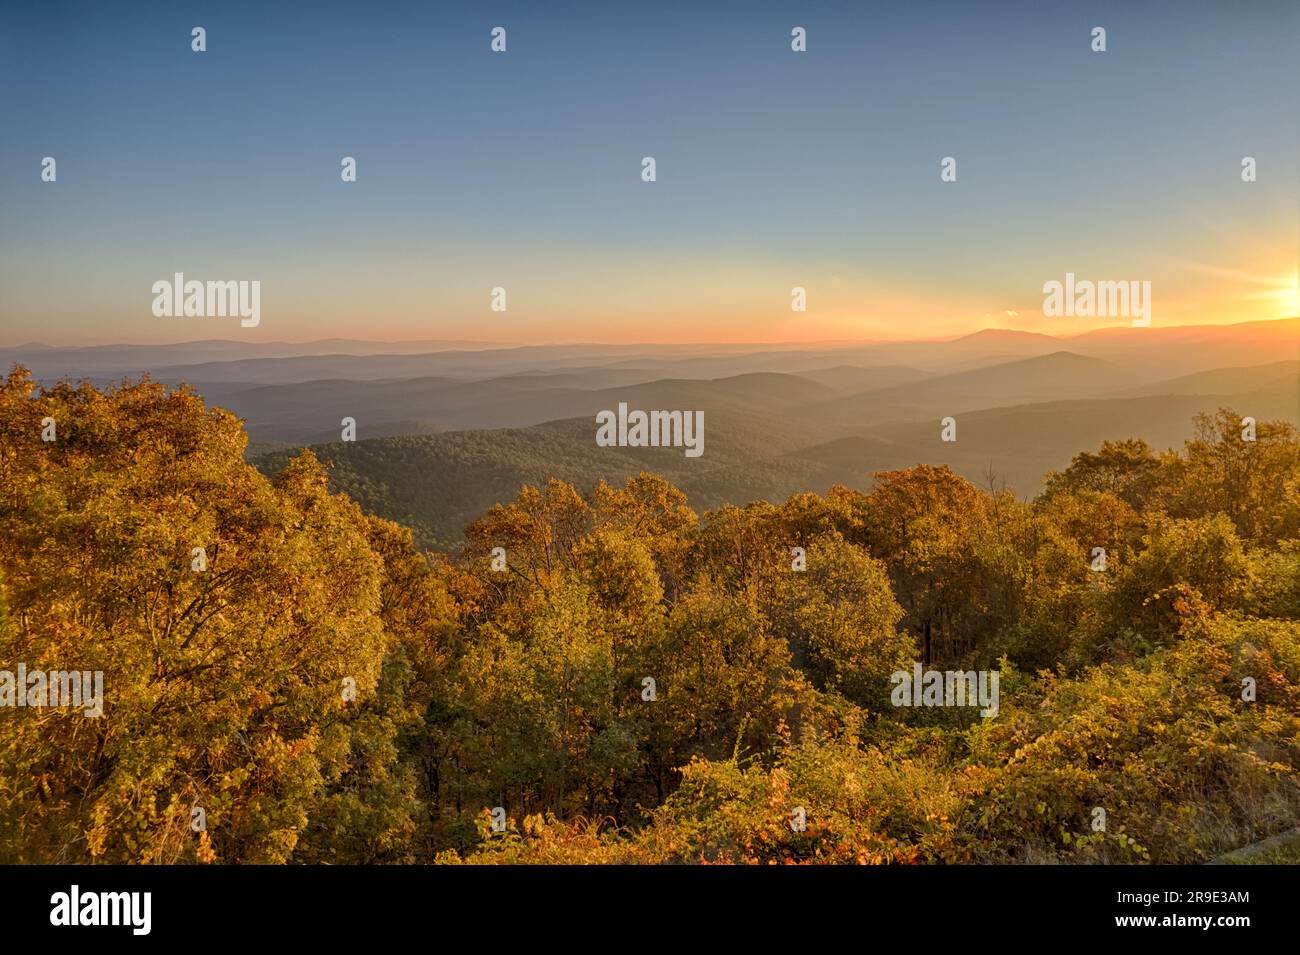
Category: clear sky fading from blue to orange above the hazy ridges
[523,170]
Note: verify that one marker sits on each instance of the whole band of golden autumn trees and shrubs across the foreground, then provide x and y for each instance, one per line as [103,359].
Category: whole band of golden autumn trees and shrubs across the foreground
[327,692]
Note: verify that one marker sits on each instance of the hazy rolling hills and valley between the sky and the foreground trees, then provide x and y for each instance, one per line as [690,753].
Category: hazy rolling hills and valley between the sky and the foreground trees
[447,429]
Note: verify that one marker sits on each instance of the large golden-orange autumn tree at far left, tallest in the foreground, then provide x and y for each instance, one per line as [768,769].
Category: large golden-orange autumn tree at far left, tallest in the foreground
[223,685]
